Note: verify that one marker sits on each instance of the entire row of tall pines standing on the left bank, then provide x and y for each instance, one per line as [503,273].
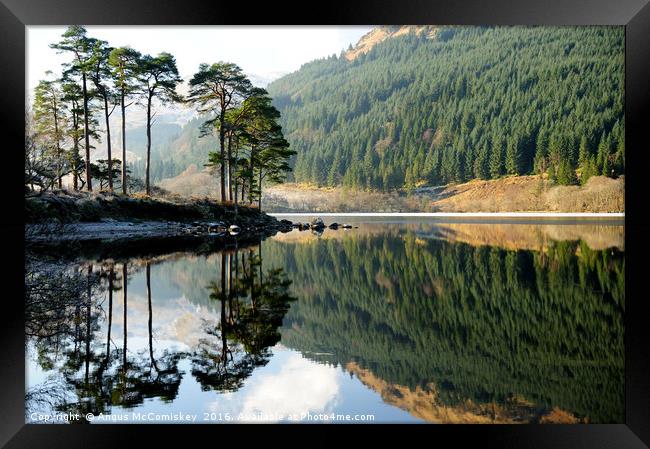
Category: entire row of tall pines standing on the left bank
[98,79]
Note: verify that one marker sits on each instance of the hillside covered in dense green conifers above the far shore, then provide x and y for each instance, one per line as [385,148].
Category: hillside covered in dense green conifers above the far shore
[449,104]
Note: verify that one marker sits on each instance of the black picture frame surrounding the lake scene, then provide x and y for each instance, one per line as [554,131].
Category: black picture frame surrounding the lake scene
[15,15]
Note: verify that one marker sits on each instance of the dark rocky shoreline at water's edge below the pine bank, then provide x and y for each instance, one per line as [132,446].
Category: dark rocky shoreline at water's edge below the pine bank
[130,238]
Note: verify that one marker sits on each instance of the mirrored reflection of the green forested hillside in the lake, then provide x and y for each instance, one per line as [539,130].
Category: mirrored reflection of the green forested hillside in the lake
[456,332]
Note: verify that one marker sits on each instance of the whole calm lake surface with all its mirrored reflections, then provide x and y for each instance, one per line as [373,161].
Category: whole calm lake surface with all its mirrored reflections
[396,321]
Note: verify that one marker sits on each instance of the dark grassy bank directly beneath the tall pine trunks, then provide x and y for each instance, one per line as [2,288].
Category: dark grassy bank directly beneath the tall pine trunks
[72,207]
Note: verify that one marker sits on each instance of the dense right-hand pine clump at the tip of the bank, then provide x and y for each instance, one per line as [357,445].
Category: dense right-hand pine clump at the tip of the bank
[252,148]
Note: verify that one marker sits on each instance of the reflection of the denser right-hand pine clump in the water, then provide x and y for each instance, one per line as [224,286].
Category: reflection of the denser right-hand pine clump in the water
[252,308]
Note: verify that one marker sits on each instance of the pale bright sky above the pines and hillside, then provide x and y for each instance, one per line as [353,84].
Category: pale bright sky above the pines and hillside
[264,53]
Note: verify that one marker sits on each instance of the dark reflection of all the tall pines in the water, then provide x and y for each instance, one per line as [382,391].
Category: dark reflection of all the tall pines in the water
[65,307]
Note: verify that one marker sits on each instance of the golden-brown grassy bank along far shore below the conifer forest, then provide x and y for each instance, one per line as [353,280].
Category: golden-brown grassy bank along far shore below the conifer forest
[508,194]
